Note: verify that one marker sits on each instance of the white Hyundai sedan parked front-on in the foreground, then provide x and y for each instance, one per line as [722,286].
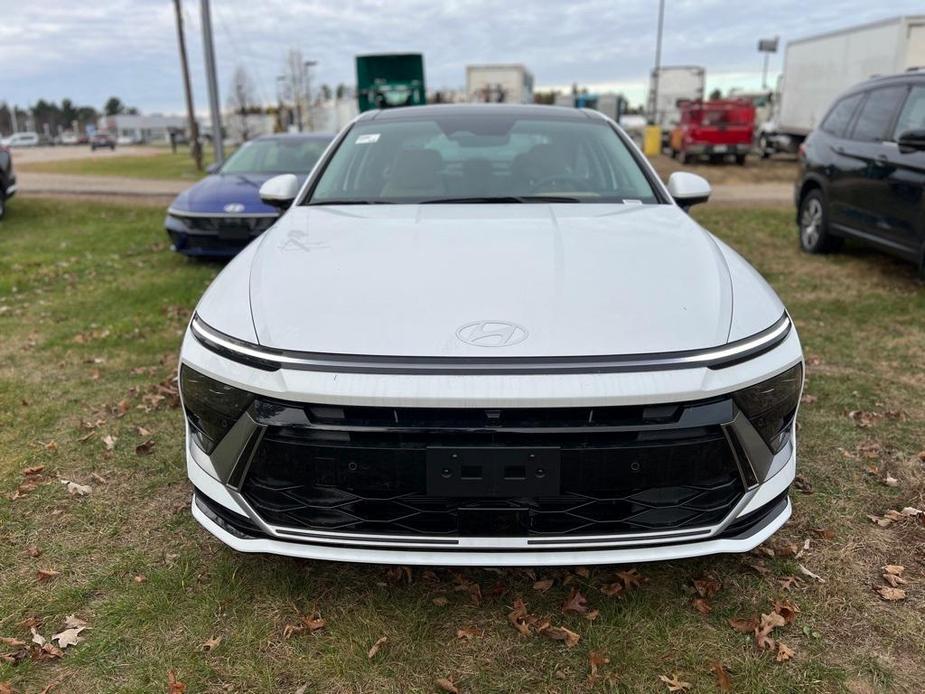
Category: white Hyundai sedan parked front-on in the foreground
[489,335]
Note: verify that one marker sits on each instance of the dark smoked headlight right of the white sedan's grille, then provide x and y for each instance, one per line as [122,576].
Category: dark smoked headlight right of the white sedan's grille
[770,405]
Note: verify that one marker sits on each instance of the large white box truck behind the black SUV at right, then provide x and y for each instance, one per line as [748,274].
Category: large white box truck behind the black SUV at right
[818,68]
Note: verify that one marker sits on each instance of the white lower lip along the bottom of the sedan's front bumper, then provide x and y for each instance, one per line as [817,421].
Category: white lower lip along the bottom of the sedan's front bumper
[417,557]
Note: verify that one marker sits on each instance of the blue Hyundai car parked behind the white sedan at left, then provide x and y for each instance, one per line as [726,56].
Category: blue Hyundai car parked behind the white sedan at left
[222,213]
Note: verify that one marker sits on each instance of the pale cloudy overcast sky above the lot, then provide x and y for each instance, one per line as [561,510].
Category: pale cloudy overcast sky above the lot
[88,50]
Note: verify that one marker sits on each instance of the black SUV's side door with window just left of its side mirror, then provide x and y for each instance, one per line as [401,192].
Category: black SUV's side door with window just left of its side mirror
[867,209]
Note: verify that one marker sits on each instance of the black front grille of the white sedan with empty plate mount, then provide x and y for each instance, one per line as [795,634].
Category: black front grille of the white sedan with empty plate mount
[541,472]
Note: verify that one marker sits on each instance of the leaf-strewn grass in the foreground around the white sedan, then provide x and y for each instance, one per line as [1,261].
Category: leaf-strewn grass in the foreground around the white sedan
[92,307]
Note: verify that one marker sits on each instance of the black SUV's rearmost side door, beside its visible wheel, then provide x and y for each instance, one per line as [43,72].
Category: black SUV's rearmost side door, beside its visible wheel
[828,159]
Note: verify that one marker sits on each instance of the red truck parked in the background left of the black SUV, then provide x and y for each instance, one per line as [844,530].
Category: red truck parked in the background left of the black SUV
[715,129]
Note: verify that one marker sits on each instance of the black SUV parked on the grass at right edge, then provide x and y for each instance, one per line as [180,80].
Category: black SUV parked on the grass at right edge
[862,172]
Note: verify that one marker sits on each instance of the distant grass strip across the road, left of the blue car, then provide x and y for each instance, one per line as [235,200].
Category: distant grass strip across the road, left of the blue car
[161,165]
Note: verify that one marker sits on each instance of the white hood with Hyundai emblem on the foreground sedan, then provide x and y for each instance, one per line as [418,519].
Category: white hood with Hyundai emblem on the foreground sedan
[555,280]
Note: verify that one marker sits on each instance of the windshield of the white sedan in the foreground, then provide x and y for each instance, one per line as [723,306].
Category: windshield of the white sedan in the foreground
[482,158]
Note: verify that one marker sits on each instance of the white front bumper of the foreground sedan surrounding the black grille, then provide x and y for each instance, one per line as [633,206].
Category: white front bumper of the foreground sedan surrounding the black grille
[251,524]
